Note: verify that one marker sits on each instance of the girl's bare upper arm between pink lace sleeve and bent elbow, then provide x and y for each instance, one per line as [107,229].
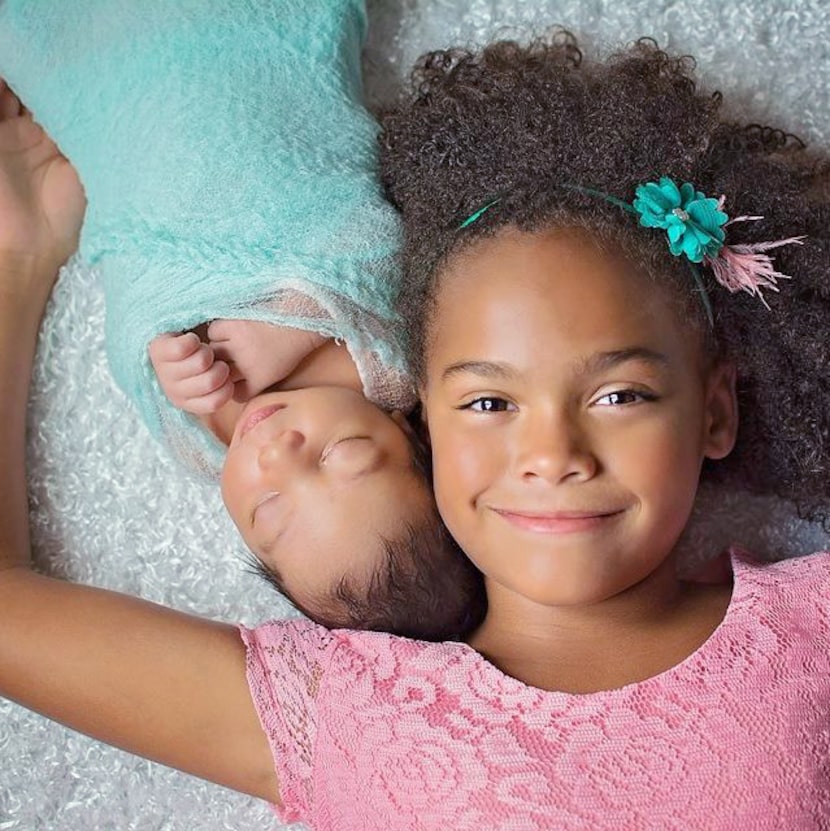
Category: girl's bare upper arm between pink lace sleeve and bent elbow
[152,681]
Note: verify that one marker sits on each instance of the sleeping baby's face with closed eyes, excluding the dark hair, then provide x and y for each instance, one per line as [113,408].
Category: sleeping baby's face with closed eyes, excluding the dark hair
[314,479]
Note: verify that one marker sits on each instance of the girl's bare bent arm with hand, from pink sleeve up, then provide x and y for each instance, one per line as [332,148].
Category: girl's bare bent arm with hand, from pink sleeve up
[152,681]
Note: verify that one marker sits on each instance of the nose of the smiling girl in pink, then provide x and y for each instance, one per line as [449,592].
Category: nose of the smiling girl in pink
[554,448]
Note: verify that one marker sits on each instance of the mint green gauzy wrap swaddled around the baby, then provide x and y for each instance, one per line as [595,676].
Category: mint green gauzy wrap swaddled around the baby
[230,171]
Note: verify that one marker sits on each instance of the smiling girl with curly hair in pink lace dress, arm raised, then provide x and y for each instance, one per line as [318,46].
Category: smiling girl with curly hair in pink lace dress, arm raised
[576,377]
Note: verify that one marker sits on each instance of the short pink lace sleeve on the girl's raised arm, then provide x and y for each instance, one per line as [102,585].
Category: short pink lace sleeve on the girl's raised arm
[285,665]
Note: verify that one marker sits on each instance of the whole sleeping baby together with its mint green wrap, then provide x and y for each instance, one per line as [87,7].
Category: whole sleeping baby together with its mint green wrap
[255,214]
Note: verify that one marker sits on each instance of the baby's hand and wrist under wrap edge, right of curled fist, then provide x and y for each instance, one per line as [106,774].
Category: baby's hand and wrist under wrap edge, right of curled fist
[259,354]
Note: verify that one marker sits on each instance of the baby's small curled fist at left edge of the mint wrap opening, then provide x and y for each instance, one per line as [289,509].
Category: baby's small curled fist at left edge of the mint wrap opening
[189,373]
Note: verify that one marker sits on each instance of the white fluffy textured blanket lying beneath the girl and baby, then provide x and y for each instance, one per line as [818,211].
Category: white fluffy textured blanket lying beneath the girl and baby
[109,508]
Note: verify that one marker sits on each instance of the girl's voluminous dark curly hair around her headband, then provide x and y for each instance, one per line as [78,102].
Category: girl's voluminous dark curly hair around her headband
[525,124]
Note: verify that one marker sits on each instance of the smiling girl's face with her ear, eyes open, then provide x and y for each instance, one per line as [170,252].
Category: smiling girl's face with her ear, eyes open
[569,413]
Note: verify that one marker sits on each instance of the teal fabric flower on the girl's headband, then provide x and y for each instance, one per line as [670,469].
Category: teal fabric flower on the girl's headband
[691,220]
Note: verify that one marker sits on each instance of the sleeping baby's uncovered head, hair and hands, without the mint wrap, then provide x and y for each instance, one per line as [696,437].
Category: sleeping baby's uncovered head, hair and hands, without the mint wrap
[330,493]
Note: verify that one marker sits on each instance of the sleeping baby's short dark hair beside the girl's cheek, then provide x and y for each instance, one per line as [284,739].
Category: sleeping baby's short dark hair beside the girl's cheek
[425,587]
